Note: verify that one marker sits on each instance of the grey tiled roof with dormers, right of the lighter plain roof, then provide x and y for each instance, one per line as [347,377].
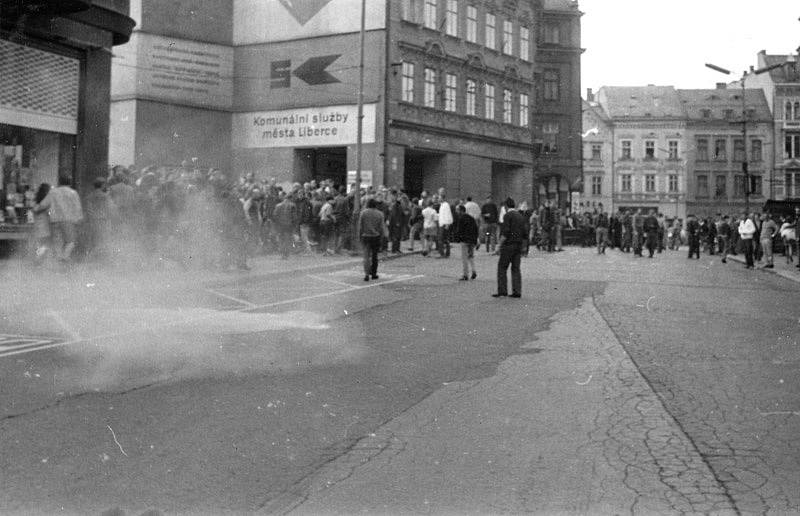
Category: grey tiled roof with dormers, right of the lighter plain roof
[720,100]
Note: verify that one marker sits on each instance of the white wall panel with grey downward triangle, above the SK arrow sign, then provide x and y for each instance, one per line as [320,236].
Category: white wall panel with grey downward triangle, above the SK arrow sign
[262,21]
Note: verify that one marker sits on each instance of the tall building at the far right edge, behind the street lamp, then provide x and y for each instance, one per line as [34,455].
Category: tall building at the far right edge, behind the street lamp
[781,87]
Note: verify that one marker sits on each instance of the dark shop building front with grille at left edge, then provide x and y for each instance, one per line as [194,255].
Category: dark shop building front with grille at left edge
[55,69]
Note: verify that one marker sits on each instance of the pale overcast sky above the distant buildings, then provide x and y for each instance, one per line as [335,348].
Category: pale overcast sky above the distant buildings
[667,42]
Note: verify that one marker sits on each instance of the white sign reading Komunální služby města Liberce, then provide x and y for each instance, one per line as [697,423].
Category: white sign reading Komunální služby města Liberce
[306,127]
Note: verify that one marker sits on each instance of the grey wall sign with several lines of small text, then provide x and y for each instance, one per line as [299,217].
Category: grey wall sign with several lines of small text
[176,70]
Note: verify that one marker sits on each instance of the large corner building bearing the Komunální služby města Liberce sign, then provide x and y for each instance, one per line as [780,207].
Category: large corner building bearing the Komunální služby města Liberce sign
[451,91]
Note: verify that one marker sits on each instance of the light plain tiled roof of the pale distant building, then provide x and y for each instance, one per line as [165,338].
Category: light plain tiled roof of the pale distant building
[640,102]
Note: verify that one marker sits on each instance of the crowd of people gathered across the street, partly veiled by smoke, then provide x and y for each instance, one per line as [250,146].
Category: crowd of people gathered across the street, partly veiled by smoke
[201,219]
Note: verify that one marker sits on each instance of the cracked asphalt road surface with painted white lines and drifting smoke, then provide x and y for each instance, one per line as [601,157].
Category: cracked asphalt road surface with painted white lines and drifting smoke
[614,385]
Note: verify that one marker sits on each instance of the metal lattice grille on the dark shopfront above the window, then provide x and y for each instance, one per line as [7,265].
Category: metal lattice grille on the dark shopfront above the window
[33,80]
